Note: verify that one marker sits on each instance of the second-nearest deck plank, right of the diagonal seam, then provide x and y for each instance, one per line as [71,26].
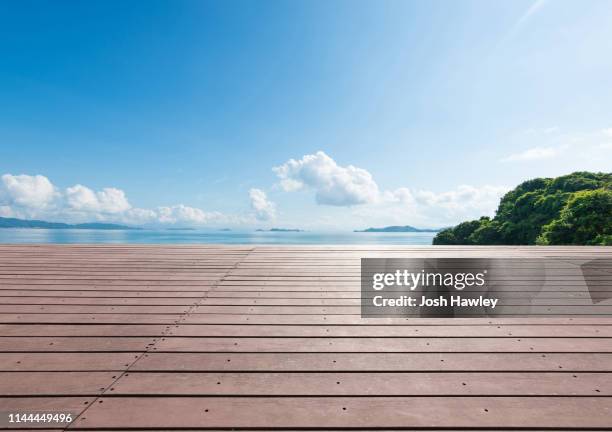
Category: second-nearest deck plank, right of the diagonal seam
[363,384]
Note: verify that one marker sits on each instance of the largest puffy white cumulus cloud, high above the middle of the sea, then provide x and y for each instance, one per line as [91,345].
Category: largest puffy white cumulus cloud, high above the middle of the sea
[333,184]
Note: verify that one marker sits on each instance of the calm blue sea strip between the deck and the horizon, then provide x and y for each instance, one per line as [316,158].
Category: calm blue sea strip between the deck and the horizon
[161,236]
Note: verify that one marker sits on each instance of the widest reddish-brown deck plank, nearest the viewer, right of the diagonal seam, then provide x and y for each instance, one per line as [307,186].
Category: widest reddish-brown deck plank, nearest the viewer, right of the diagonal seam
[342,412]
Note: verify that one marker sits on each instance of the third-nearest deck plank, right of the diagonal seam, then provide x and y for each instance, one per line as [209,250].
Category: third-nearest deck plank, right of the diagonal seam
[509,362]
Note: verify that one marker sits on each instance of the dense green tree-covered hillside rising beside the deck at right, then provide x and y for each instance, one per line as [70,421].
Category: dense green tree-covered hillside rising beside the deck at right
[572,209]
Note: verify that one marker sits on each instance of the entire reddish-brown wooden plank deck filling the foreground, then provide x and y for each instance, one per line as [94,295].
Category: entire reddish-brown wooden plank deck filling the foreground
[231,337]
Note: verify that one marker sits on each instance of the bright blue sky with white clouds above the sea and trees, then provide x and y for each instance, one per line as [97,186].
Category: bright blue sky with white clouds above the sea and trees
[423,112]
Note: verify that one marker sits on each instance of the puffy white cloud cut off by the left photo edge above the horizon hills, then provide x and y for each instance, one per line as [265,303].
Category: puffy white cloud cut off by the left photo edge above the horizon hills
[27,191]
